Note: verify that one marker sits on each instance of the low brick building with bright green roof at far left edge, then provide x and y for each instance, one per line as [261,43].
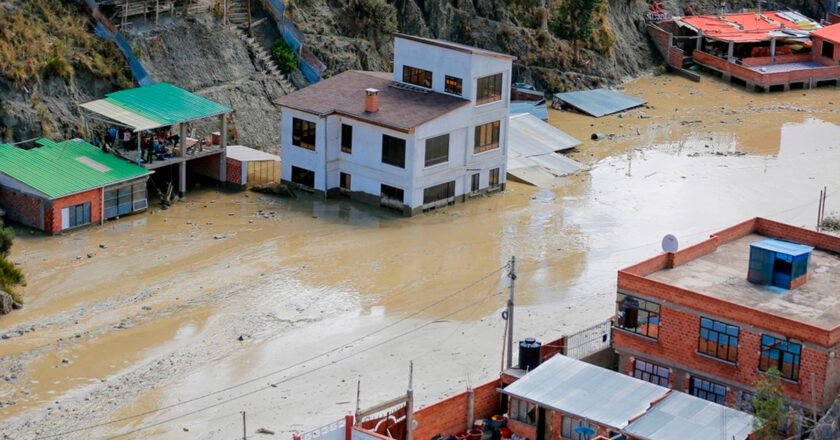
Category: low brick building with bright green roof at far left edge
[62,185]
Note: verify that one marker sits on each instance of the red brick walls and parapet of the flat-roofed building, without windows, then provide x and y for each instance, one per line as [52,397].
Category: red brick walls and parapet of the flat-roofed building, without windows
[681,310]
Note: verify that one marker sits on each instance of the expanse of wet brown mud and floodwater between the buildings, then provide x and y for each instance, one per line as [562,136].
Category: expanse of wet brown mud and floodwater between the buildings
[169,323]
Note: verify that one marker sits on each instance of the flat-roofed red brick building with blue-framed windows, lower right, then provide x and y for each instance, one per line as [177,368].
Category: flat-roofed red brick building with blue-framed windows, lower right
[691,320]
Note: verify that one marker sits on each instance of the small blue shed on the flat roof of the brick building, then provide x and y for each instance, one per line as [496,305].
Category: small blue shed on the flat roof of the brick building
[779,263]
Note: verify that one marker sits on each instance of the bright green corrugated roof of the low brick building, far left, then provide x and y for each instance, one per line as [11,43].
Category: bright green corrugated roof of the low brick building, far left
[58,169]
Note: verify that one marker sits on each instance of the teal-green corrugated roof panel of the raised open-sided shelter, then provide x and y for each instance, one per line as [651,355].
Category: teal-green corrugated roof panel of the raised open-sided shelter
[166,103]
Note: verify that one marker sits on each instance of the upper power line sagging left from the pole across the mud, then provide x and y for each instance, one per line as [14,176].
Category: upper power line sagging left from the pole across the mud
[299,363]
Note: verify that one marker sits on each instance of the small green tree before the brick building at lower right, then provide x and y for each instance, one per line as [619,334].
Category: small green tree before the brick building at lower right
[769,406]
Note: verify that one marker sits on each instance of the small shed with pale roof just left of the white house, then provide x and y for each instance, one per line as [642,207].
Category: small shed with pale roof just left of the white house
[249,167]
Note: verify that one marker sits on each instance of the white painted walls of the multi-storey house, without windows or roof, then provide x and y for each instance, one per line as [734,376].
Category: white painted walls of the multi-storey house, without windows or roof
[365,165]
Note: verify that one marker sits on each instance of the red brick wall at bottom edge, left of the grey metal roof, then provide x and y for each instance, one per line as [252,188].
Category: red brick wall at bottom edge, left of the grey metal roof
[449,416]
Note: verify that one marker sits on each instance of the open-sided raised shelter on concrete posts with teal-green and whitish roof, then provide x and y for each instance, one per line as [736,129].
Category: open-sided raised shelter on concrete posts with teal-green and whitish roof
[154,110]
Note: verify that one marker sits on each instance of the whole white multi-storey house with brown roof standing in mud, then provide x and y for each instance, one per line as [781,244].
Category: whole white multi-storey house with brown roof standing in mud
[432,133]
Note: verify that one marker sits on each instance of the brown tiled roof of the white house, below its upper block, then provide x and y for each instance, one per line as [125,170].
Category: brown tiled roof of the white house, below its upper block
[400,108]
